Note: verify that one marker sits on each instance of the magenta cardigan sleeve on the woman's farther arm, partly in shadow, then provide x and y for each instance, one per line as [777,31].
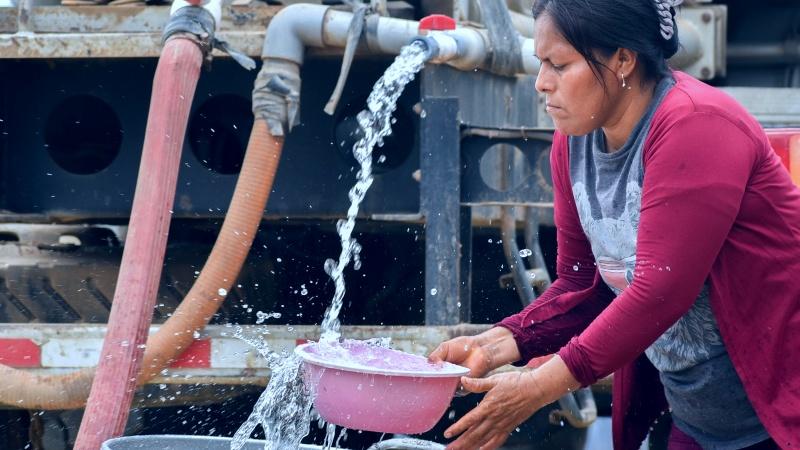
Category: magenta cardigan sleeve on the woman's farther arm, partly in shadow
[577,296]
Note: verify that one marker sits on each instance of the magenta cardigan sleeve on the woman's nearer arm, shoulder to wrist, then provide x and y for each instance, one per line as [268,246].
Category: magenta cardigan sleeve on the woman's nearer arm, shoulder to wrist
[696,173]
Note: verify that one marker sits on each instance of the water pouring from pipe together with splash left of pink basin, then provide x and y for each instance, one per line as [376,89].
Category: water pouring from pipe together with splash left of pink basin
[284,408]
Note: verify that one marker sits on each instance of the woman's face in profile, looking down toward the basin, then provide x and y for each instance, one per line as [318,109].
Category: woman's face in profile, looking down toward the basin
[574,96]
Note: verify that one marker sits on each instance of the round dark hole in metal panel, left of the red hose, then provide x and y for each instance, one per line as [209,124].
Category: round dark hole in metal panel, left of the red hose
[83,135]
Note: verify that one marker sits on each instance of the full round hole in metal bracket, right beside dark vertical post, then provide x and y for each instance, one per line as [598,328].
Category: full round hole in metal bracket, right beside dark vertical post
[504,167]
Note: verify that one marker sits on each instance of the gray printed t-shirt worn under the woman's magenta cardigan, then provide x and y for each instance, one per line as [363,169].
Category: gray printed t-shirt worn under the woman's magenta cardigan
[704,392]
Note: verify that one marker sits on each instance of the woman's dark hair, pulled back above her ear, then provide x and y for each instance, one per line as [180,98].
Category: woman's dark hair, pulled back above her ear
[603,26]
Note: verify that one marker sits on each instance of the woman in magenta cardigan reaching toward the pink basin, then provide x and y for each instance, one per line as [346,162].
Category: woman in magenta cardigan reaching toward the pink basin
[678,249]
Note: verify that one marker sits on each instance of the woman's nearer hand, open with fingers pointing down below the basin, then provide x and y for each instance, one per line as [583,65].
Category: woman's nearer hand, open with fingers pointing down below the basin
[510,399]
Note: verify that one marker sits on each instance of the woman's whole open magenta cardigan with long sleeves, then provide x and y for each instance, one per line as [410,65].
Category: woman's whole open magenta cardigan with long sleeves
[717,206]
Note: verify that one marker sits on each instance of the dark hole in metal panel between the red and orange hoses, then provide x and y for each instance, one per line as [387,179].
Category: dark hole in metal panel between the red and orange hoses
[218,132]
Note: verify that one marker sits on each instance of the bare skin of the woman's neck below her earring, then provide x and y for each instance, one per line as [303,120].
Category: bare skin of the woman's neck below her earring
[630,109]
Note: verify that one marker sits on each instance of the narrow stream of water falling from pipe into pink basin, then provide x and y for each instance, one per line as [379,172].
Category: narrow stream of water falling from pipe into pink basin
[376,124]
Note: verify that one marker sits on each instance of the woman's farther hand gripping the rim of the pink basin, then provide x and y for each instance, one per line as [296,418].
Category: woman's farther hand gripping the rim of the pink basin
[480,354]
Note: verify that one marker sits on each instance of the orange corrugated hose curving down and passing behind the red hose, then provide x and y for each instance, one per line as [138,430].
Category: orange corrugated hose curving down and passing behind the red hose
[26,390]
